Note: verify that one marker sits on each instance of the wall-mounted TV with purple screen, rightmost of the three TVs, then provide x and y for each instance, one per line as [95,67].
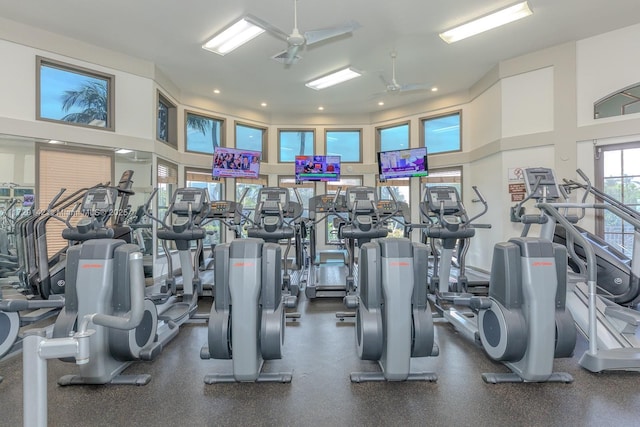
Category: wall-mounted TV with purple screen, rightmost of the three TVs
[405,163]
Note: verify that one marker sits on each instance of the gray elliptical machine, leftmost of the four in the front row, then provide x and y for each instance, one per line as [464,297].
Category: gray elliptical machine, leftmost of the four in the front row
[98,281]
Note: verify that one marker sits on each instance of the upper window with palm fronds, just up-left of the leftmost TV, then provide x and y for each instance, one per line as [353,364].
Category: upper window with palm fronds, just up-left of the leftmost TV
[203,133]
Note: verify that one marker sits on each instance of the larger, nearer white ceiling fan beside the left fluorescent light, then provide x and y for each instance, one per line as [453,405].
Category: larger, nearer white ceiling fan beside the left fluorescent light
[297,41]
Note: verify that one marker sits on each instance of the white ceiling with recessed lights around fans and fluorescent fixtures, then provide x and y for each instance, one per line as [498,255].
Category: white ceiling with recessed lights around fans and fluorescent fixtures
[170,34]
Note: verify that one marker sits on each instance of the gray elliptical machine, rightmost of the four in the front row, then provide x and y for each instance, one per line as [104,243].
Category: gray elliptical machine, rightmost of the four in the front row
[523,322]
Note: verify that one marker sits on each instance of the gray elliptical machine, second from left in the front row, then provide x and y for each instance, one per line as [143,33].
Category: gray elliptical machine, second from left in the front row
[247,318]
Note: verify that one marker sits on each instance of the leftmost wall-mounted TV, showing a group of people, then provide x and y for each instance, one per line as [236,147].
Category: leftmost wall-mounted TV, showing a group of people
[235,163]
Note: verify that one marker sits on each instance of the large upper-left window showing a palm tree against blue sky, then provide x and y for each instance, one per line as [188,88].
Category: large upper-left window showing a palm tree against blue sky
[74,95]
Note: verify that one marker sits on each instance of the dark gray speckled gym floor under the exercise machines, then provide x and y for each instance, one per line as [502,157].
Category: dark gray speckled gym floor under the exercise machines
[321,352]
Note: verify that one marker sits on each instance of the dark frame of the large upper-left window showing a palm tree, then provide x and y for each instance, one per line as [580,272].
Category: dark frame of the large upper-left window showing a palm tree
[110,79]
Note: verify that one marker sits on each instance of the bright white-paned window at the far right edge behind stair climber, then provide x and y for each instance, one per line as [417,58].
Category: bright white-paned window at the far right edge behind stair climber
[619,176]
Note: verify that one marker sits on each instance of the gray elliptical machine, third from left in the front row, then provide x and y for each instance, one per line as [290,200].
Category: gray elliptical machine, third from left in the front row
[393,317]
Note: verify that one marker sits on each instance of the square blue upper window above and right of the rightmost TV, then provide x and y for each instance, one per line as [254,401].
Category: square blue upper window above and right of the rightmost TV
[441,134]
